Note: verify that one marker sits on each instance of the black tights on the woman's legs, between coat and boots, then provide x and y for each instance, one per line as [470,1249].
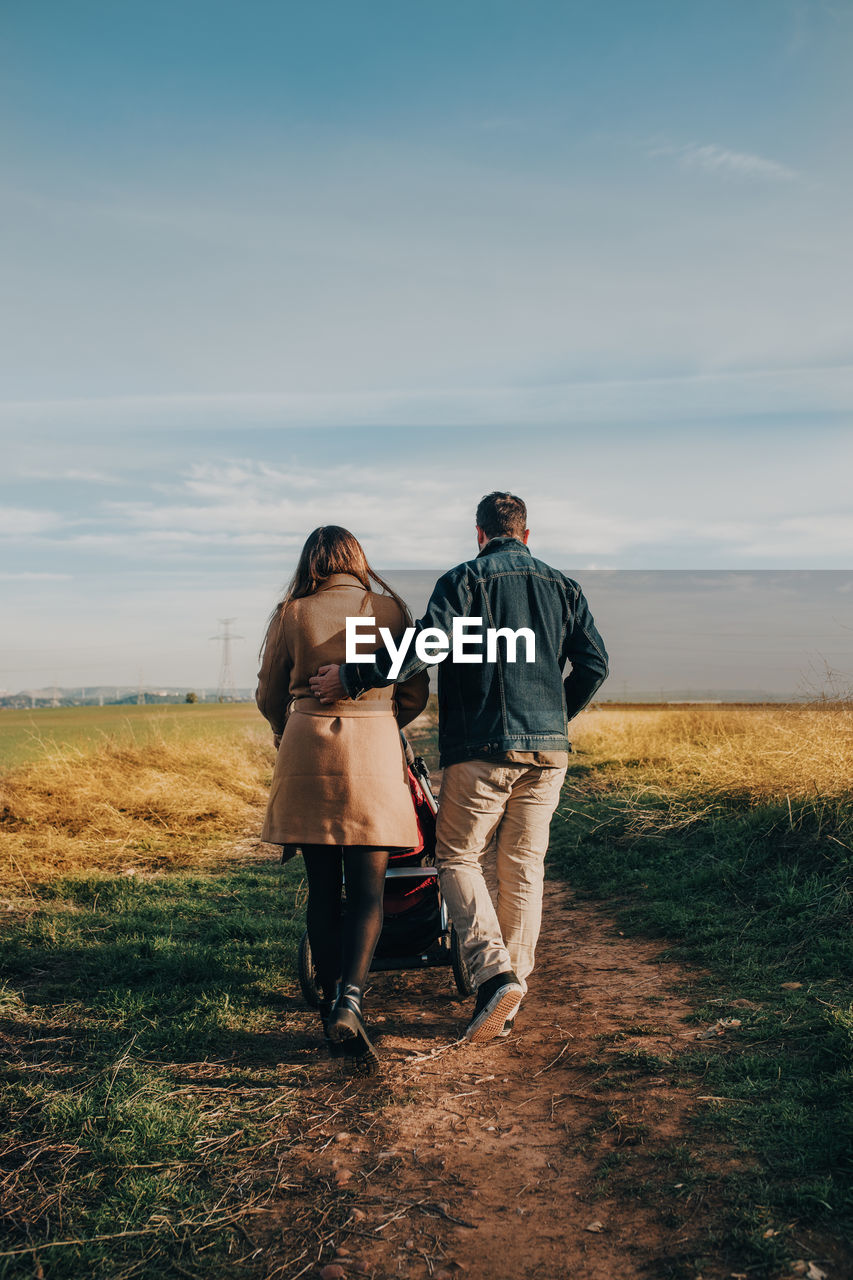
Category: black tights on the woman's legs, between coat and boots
[344,953]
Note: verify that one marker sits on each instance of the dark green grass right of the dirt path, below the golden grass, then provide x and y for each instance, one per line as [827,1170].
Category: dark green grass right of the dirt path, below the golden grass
[755,898]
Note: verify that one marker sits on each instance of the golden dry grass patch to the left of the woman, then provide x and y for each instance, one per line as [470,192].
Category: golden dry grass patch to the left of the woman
[158,803]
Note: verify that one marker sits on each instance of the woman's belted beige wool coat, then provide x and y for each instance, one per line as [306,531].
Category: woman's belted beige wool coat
[340,774]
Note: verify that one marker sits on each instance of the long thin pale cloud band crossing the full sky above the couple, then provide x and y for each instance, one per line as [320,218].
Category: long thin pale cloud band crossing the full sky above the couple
[708,390]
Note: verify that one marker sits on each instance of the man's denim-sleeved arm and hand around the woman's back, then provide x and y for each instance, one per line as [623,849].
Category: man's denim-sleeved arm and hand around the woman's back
[451,598]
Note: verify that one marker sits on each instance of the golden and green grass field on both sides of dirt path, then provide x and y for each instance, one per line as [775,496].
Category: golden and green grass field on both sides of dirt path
[148,971]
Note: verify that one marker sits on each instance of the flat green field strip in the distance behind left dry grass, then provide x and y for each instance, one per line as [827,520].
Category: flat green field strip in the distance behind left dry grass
[26,737]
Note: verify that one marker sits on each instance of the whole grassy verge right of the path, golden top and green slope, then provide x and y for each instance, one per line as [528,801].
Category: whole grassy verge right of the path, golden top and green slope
[729,834]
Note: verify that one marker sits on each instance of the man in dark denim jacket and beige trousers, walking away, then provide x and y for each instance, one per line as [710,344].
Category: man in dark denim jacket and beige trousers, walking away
[503,734]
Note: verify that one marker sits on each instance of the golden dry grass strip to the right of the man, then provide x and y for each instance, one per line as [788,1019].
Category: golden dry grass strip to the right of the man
[754,753]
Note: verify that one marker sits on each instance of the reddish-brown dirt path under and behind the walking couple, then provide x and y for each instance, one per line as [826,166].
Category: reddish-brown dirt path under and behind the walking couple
[491,1162]
